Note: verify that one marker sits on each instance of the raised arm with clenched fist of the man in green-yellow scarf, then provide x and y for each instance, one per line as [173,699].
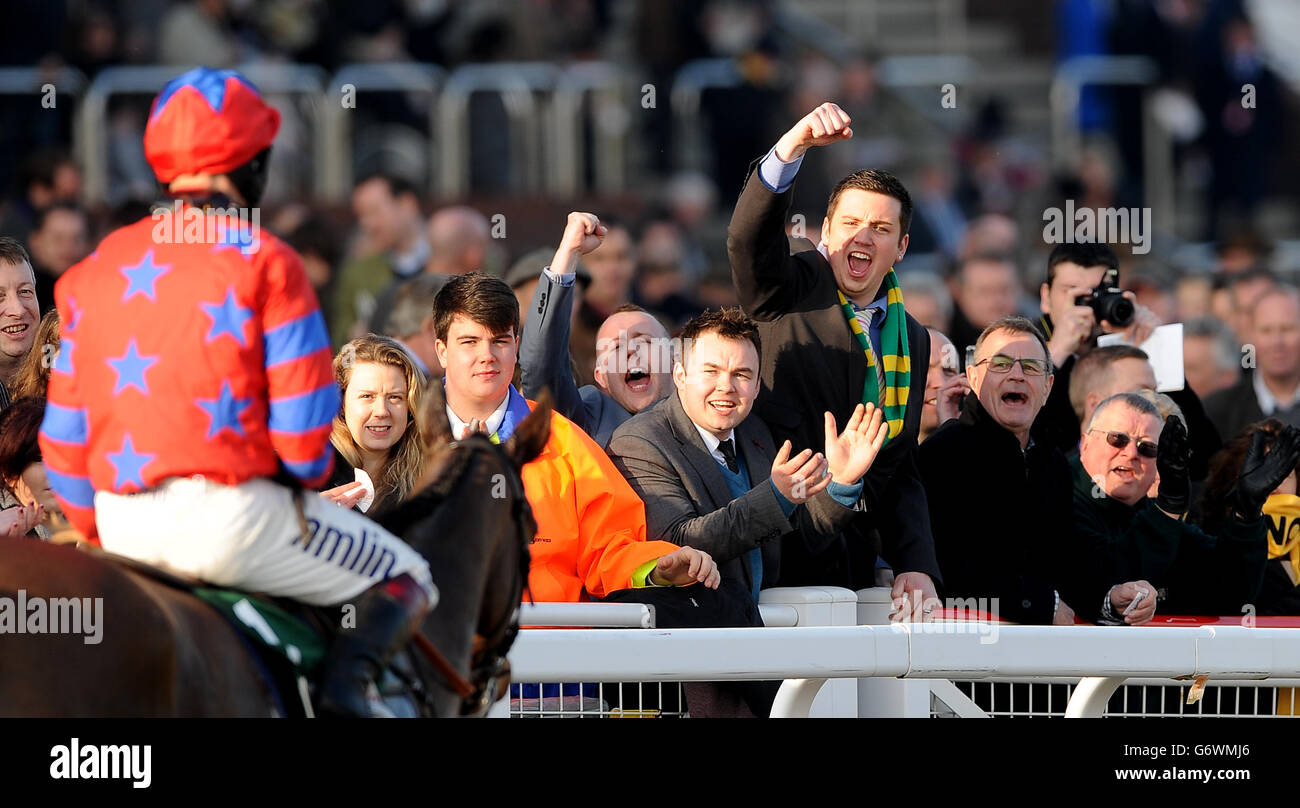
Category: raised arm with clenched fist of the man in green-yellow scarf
[768,280]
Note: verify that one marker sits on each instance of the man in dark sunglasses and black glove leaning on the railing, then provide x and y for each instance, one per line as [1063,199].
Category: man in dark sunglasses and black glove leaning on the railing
[1121,533]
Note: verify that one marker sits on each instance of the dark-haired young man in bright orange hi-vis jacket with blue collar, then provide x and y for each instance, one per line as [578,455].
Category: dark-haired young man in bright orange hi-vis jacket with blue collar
[591,525]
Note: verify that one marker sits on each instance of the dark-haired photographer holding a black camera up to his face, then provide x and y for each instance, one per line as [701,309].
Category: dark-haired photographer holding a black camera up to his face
[1082,299]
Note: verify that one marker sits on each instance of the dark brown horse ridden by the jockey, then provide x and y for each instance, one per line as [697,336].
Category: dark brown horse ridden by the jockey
[163,653]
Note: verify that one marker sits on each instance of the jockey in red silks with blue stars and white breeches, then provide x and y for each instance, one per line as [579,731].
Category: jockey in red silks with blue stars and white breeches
[194,363]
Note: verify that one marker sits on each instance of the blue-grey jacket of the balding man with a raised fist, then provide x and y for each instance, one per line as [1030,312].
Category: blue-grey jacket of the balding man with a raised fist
[544,359]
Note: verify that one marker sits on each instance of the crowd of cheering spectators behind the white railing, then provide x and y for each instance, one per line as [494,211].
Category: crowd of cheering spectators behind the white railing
[786,403]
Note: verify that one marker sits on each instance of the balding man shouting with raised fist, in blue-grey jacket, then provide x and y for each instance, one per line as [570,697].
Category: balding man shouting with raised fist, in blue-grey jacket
[634,351]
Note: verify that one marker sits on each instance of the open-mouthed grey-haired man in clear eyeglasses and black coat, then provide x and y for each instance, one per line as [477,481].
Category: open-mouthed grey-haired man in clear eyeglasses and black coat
[999,502]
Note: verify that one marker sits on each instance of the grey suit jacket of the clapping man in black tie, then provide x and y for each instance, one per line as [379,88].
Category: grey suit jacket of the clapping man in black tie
[690,503]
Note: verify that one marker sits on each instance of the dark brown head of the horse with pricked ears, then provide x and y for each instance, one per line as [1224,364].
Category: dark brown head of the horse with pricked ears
[470,519]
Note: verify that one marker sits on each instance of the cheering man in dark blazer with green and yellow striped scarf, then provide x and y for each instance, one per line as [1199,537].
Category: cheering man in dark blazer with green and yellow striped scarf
[833,318]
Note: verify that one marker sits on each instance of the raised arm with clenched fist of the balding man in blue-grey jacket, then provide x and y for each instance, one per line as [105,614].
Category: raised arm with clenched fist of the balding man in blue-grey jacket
[544,351]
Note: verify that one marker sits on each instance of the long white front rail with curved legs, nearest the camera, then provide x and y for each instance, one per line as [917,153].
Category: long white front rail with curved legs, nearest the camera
[807,657]
